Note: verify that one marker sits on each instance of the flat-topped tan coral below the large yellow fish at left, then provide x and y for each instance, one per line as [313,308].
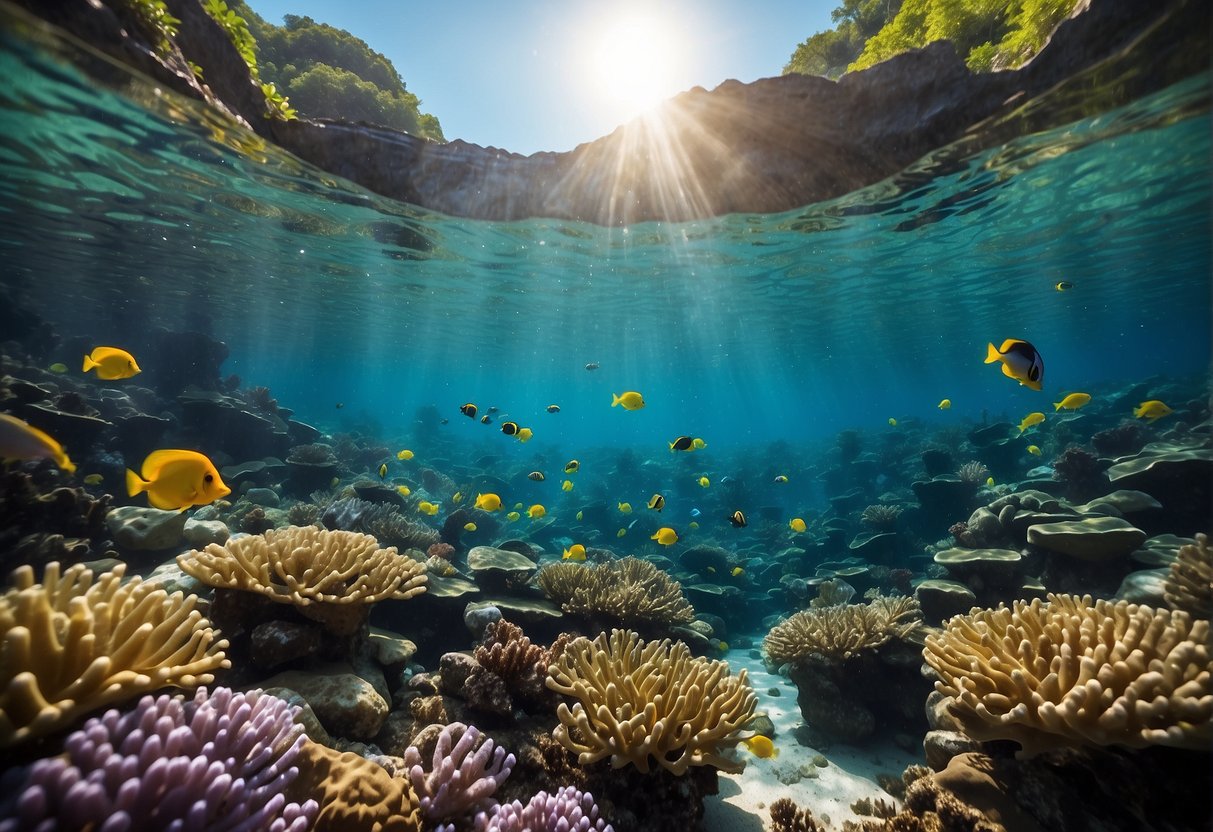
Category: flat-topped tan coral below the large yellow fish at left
[303,566]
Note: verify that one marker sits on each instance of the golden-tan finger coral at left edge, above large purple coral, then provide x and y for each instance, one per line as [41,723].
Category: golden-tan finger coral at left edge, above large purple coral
[73,645]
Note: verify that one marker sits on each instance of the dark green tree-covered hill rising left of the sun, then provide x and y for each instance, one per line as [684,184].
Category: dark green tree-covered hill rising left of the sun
[331,73]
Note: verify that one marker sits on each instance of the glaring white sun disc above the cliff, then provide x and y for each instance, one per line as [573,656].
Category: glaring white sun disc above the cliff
[637,64]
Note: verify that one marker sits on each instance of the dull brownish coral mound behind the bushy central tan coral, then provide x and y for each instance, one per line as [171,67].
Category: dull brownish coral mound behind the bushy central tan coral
[629,590]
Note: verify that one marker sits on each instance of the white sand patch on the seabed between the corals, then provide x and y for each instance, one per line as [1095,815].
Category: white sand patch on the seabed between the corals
[851,774]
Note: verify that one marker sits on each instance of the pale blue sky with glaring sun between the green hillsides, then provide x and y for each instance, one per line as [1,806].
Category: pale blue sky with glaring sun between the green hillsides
[549,75]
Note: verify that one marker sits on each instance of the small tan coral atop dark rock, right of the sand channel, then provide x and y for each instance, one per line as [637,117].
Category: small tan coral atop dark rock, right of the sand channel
[841,632]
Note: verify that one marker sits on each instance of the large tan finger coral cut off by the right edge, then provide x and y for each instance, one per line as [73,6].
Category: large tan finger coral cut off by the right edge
[1074,673]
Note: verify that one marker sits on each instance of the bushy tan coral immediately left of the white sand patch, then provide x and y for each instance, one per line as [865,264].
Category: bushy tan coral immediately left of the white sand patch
[648,702]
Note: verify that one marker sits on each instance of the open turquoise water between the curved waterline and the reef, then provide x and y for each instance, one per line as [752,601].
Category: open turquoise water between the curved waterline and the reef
[745,330]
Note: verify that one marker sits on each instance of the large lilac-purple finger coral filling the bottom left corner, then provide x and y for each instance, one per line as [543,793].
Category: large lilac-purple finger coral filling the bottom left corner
[220,761]
